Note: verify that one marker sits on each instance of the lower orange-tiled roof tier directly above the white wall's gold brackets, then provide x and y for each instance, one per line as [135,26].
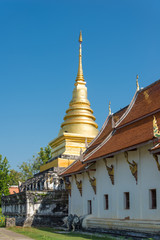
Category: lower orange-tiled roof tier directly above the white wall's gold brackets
[123,139]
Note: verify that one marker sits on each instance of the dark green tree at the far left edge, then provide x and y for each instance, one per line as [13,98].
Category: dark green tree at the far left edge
[4,177]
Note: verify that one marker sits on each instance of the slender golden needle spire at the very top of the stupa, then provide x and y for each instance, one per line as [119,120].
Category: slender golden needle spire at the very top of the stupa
[80,70]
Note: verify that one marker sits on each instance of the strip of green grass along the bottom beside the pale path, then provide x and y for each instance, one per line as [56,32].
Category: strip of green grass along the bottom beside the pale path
[52,234]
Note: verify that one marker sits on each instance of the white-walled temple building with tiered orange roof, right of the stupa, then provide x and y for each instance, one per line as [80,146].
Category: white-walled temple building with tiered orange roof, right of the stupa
[115,182]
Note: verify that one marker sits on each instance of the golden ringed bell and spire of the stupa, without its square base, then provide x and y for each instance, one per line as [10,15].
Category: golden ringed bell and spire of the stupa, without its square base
[79,118]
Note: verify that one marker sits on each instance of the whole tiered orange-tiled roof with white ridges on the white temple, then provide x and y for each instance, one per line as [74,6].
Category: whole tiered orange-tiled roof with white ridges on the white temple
[133,128]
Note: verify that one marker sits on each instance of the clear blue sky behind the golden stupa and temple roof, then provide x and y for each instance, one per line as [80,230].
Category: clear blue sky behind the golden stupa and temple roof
[39,62]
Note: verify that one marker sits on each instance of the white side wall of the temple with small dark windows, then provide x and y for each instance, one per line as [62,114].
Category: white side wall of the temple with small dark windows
[124,181]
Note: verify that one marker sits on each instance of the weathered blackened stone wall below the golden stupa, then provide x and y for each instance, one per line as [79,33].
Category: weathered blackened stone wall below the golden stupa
[35,208]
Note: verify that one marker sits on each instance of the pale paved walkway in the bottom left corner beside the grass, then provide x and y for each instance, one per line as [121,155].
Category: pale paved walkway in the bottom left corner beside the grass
[9,235]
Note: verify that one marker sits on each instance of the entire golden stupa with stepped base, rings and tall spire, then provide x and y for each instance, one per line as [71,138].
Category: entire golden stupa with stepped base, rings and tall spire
[79,127]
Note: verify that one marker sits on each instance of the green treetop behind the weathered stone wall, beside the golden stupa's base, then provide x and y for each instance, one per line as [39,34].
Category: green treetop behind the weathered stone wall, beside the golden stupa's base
[28,169]
